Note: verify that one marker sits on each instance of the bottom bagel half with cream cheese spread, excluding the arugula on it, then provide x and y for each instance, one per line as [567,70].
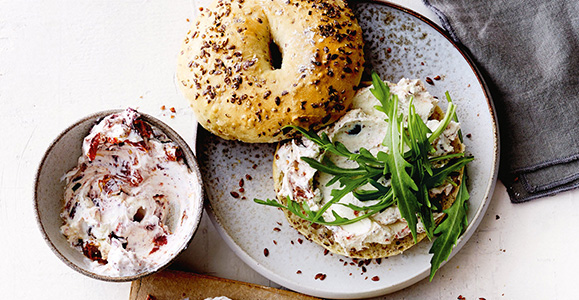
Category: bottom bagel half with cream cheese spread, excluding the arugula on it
[296,179]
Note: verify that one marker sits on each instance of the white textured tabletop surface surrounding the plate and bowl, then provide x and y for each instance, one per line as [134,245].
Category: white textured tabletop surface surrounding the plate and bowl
[62,60]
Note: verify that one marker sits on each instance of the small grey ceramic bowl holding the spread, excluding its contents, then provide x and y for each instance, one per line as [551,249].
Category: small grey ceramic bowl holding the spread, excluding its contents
[61,156]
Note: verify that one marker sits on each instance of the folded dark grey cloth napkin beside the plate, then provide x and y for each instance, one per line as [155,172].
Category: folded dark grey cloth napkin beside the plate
[528,52]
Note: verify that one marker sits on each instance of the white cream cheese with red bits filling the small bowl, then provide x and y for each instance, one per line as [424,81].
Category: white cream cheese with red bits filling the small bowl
[129,197]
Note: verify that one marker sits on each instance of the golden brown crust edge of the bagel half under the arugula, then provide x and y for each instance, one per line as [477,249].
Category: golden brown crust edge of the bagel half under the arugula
[321,235]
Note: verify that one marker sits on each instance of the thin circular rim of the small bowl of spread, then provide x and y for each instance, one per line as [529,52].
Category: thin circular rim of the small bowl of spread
[192,165]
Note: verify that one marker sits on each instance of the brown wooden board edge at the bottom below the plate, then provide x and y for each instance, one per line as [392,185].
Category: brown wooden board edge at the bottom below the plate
[175,285]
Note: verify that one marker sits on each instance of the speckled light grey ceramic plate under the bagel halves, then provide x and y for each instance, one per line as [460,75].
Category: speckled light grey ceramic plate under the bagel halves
[399,43]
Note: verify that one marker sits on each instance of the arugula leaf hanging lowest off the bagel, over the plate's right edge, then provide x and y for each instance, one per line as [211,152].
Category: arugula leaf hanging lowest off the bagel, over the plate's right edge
[450,229]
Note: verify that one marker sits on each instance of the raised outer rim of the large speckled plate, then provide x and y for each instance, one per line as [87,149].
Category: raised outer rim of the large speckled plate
[469,231]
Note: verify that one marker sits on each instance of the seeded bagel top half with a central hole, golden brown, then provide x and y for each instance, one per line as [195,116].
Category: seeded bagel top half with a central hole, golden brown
[225,67]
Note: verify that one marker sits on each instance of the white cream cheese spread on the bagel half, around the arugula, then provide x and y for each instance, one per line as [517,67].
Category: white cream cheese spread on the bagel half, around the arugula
[362,126]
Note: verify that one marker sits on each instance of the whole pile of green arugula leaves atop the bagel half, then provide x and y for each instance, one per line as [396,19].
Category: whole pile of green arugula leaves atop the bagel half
[412,173]
